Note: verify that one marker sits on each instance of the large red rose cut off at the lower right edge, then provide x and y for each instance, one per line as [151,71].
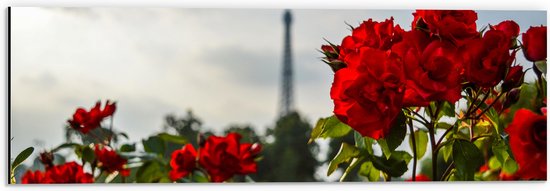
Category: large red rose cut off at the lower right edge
[527,133]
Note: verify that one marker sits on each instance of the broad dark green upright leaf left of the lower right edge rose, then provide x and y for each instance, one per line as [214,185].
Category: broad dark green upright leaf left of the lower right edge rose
[467,157]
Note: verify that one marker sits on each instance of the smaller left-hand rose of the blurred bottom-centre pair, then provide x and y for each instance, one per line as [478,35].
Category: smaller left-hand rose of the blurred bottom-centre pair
[183,162]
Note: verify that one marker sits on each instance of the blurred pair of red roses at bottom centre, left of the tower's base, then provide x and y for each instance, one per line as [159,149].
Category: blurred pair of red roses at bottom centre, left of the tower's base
[221,157]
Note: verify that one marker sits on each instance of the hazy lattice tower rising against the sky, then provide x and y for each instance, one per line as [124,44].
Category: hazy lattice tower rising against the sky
[287,91]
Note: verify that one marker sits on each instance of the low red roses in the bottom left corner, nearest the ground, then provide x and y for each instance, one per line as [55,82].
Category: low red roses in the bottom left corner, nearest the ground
[106,159]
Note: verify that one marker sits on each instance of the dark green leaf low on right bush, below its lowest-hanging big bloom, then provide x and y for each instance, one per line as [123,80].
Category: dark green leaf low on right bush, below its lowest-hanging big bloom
[395,166]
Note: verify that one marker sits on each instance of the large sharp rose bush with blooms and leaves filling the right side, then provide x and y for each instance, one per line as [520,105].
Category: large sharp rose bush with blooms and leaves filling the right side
[442,66]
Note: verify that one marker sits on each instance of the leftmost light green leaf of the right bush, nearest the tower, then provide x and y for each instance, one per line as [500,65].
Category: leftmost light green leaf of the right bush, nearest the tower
[329,127]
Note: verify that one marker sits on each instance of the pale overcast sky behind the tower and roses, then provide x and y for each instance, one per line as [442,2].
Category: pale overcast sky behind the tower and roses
[224,64]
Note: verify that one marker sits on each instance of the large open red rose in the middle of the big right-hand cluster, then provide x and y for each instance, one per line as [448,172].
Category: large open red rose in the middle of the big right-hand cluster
[431,67]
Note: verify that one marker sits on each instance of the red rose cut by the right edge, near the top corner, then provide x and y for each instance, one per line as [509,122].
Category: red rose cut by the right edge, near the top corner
[534,44]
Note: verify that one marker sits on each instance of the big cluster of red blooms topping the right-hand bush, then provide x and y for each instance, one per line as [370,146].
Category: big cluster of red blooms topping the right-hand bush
[382,68]
